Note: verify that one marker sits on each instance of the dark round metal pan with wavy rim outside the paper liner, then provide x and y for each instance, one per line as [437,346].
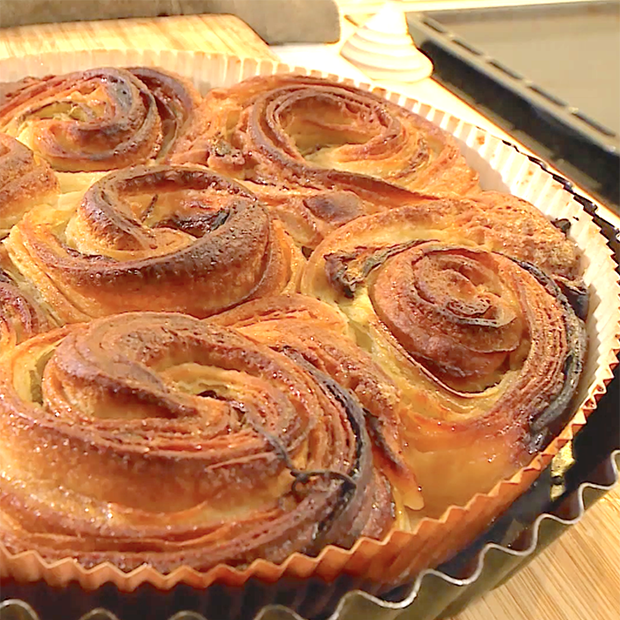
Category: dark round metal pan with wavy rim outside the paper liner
[544,512]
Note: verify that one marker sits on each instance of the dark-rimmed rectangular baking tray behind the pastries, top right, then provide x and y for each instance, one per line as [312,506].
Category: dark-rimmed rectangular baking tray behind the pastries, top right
[548,74]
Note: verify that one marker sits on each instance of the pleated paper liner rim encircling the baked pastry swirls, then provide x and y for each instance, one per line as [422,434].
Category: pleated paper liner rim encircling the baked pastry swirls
[389,562]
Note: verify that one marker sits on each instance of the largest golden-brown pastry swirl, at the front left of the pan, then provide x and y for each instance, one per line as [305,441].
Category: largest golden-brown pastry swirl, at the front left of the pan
[157,438]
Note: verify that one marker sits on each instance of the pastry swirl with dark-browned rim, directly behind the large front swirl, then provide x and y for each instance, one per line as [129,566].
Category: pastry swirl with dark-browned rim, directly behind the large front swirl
[158,238]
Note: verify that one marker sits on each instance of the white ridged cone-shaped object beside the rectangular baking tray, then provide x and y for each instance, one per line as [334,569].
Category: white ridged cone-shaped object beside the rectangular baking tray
[384,50]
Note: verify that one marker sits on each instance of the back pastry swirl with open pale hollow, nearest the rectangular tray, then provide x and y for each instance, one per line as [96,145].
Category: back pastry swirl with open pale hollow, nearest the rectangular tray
[322,153]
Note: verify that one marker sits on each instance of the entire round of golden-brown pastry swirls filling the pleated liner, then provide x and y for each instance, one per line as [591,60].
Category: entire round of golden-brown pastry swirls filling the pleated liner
[271,319]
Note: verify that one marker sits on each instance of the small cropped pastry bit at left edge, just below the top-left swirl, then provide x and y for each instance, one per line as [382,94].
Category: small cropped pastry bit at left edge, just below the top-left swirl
[25,181]
